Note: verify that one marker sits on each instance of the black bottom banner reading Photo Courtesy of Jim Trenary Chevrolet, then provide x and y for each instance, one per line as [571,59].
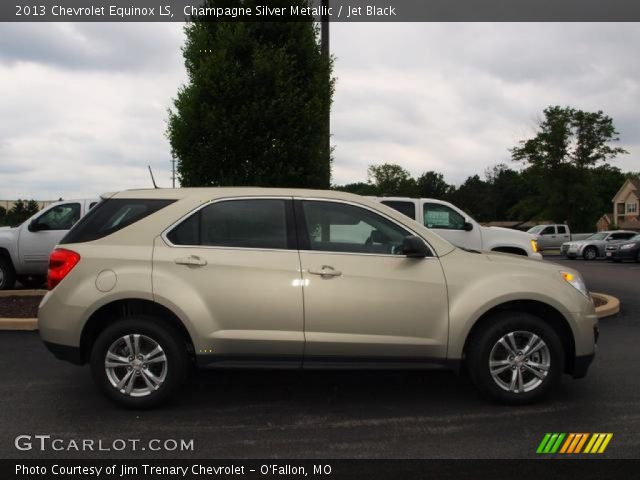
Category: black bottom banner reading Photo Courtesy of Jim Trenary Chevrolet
[544,468]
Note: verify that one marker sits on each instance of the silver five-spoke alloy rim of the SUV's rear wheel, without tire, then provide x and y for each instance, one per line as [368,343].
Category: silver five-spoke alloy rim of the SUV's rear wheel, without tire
[136,365]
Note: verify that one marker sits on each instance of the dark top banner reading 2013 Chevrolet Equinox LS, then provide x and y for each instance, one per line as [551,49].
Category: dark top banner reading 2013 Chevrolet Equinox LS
[330,10]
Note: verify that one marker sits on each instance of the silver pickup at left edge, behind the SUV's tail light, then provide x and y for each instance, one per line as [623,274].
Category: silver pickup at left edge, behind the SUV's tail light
[25,249]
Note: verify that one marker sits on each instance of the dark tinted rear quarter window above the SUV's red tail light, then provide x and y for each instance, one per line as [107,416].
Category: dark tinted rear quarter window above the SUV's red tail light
[112,215]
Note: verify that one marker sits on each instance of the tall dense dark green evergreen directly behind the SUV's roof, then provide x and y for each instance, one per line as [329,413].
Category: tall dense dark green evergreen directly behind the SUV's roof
[255,107]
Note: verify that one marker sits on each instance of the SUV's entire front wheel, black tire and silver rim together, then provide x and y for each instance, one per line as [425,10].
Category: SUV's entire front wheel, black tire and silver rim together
[515,359]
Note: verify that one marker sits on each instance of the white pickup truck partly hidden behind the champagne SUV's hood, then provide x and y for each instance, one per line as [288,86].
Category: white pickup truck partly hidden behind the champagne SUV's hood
[456,226]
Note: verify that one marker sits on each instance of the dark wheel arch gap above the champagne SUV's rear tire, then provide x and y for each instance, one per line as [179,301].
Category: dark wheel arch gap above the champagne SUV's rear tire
[121,309]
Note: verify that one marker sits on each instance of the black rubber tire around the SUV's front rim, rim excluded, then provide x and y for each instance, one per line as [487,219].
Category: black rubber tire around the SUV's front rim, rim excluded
[484,341]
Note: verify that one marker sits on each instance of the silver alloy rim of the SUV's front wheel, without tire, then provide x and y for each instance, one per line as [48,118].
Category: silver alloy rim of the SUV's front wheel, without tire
[519,361]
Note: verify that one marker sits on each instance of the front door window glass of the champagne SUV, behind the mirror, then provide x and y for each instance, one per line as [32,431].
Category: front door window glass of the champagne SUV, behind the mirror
[340,227]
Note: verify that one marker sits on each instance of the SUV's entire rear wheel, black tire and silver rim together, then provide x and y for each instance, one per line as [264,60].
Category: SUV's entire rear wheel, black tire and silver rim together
[139,362]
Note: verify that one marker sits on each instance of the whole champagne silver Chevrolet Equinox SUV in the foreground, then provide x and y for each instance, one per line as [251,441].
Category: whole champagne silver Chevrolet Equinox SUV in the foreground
[152,282]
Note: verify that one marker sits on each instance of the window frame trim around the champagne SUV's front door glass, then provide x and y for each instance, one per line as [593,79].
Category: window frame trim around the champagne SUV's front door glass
[303,234]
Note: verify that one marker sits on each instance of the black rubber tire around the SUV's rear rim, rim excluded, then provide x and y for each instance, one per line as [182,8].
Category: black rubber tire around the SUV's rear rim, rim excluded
[168,338]
